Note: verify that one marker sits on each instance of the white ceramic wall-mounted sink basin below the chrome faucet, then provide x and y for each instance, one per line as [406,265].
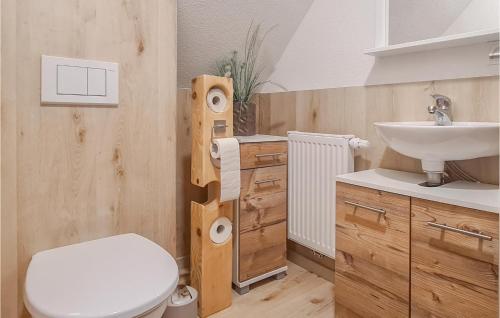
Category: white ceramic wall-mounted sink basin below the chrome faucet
[436,144]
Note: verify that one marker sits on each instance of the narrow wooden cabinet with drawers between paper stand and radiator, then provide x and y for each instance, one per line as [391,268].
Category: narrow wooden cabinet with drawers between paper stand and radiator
[260,215]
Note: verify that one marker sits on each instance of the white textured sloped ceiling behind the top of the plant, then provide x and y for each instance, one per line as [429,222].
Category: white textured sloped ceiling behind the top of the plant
[209,30]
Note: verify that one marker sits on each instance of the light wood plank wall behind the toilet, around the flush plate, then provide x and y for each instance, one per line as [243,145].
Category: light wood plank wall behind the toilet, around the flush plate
[71,174]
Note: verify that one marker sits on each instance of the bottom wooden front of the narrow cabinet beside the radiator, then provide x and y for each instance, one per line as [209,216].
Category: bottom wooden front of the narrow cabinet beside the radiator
[262,251]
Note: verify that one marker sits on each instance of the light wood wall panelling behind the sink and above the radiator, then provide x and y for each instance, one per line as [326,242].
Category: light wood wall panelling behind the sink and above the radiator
[353,110]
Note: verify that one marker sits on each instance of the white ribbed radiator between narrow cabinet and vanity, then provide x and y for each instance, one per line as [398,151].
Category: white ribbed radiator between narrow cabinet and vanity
[314,160]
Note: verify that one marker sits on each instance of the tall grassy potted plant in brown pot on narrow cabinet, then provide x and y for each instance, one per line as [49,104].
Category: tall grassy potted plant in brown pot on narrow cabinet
[246,75]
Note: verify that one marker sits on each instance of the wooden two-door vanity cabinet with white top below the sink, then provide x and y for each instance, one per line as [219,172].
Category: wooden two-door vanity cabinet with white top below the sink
[403,250]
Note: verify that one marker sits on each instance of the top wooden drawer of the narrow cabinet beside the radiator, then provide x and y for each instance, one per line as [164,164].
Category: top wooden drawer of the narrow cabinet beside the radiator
[265,154]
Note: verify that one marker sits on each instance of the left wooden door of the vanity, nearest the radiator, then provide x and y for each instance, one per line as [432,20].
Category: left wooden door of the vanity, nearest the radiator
[372,253]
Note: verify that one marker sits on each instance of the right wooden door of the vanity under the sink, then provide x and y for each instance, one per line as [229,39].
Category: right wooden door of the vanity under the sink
[454,272]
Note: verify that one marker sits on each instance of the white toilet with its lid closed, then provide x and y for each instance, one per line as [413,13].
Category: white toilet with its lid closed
[123,276]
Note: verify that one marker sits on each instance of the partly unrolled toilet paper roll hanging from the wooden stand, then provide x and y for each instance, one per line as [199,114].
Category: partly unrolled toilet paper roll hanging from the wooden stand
[227,150]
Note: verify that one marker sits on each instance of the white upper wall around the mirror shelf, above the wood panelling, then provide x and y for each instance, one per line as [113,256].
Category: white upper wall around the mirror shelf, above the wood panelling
[326,51]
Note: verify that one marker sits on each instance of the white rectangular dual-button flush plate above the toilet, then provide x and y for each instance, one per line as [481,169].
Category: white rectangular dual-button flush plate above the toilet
[78,82]
